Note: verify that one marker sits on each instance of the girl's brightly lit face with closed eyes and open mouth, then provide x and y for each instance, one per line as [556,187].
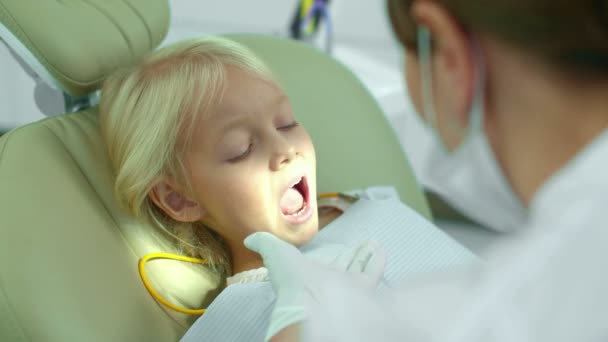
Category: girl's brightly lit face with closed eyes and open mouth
[252,166]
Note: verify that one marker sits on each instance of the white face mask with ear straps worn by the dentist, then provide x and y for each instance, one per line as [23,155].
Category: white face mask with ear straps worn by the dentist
[469,178]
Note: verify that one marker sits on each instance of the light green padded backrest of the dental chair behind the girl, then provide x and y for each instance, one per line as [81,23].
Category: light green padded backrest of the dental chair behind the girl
[68,255]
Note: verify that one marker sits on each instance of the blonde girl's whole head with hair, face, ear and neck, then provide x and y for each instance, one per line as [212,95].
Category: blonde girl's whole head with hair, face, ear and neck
[205,146]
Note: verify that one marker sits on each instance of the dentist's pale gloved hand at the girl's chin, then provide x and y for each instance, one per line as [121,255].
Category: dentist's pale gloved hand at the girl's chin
[298,281]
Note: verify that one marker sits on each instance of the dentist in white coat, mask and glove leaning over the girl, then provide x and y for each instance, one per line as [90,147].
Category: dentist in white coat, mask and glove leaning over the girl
[517,94]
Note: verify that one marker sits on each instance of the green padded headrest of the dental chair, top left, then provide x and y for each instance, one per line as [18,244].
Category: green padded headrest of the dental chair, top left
[72,45]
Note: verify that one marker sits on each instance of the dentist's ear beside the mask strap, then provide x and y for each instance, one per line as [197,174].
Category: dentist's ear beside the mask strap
[453,65]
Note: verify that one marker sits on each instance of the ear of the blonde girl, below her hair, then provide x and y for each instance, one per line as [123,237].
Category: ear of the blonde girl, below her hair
[174,204]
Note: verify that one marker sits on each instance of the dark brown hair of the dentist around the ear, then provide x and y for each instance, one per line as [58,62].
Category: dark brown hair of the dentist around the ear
[569,33]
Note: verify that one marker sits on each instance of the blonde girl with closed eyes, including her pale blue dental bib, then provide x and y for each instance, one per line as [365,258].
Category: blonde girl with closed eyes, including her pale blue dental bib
[204,144]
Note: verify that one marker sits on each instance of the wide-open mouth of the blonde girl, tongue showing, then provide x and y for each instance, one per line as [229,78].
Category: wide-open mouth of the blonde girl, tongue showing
[295,202]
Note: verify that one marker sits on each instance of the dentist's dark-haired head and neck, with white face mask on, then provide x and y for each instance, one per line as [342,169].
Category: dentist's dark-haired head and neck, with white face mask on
[514,90]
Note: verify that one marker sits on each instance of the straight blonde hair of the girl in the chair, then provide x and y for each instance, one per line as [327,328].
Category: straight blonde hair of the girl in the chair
[146,114]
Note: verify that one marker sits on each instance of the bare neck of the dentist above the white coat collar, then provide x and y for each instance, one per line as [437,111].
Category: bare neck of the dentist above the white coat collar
[540,121]
